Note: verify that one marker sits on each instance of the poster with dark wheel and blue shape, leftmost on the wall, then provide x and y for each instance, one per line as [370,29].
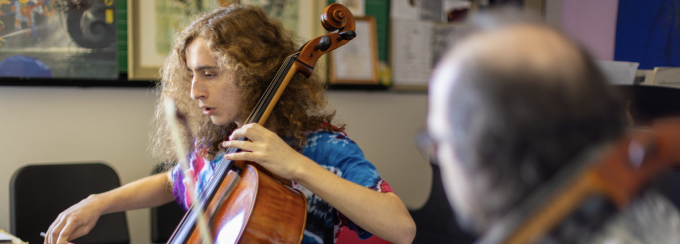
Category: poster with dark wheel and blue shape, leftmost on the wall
[63,39]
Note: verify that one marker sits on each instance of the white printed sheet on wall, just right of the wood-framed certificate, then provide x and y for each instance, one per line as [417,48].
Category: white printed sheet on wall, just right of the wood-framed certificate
[411,55]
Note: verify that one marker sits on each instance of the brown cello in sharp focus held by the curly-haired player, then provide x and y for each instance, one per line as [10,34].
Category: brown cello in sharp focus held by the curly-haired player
[243,202]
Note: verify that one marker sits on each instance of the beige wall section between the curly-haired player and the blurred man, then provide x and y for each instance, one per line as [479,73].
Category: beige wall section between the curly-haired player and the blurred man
[384,124]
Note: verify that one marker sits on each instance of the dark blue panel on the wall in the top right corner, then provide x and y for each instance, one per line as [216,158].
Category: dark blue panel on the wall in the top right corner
[648,32]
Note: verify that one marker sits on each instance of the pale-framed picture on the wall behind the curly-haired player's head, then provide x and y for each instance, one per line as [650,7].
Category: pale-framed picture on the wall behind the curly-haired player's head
[151,34]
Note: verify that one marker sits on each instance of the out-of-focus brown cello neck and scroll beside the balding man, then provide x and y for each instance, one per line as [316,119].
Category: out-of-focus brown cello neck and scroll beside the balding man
[612,176]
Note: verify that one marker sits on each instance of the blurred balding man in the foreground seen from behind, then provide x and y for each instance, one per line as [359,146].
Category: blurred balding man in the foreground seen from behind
[511,105]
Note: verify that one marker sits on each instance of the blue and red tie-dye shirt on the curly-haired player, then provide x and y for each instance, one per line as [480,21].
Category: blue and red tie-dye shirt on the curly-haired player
[333,151]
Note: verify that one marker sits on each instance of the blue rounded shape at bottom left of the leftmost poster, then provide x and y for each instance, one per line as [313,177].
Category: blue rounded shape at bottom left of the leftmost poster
[23,66]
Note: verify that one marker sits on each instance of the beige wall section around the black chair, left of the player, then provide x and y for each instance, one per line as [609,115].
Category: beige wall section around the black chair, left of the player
[44,125]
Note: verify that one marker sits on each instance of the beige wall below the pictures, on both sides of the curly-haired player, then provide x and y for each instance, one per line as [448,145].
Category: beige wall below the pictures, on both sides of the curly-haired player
[47,125]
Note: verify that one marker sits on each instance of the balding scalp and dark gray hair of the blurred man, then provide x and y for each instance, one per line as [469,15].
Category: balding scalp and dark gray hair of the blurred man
[520,112]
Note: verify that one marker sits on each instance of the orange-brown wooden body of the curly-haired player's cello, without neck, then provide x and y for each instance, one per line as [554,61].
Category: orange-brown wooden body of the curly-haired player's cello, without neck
[257,201]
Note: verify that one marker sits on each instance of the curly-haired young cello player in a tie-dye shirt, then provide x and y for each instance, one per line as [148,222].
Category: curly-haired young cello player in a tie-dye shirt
[218,69]
